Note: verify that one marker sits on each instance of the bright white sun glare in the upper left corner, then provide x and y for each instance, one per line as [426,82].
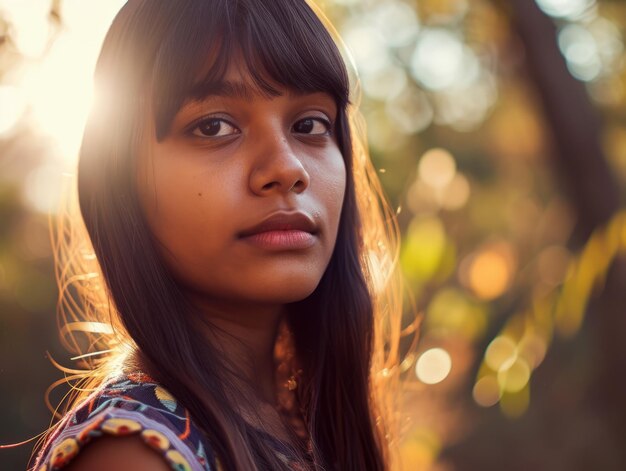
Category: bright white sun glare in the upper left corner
[51,89]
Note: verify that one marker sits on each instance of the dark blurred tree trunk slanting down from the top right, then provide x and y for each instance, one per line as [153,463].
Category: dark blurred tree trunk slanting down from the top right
[577,155]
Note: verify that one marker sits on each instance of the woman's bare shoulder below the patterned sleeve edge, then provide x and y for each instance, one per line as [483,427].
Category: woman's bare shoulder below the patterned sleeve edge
[120,453]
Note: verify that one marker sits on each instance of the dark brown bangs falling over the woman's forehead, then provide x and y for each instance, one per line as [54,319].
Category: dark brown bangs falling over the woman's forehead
[279,47]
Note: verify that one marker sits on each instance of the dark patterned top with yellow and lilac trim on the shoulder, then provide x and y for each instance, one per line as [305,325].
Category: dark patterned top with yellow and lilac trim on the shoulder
[136,404]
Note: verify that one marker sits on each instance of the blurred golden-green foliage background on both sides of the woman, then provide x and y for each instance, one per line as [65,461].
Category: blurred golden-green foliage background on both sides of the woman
[466,150]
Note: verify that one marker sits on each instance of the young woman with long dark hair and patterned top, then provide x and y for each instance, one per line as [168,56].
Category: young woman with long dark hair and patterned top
[237,278]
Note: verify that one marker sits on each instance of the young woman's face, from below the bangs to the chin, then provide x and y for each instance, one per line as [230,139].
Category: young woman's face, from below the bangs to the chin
[244,194]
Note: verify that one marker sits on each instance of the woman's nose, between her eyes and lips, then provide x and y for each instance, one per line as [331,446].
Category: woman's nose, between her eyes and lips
[278,168]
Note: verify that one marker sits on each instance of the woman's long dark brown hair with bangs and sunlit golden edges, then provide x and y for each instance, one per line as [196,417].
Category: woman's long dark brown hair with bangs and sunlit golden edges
[346,333]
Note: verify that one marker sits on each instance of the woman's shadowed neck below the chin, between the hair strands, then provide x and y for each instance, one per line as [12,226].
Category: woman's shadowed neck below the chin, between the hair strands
[246,336]
